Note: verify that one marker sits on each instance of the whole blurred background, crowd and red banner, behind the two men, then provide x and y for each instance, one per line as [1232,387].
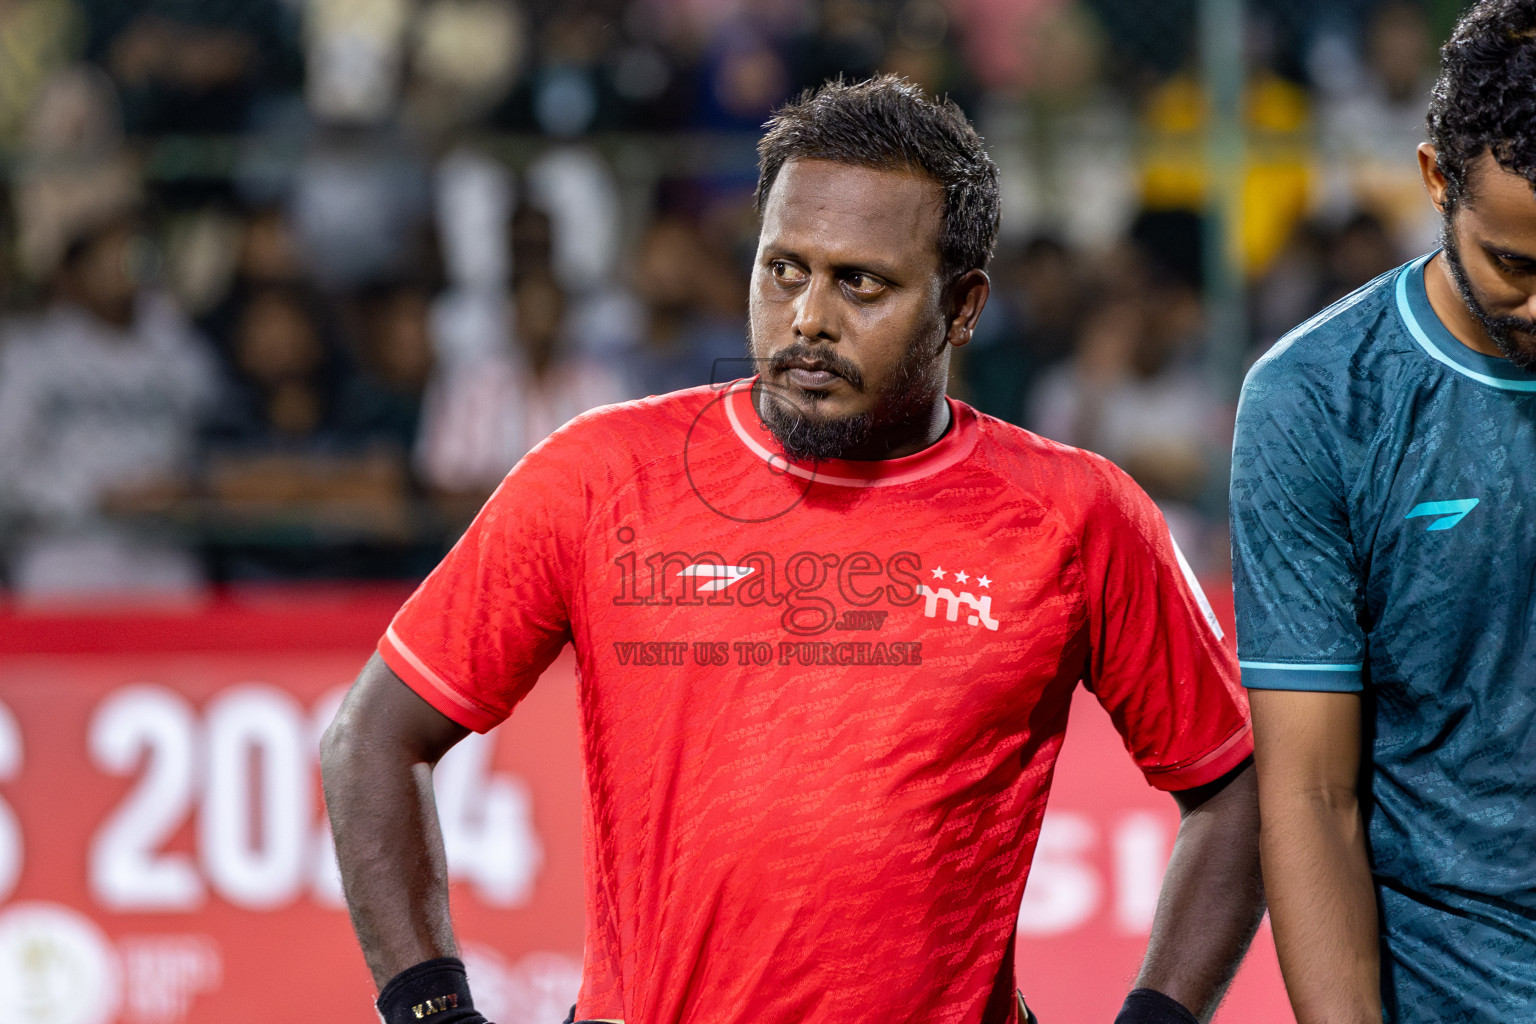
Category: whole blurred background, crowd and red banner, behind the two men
[288,285]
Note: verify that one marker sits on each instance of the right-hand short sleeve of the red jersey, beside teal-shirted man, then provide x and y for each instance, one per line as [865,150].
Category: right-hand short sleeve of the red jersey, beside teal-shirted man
[1157,661]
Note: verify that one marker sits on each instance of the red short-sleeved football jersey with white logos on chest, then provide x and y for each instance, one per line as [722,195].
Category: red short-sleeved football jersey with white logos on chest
[819,704]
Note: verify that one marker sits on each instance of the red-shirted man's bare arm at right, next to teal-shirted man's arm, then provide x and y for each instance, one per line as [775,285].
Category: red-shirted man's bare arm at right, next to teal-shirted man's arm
[1213,900]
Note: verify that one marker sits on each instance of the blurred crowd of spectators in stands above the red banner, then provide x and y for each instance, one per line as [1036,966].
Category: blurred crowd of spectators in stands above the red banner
[286,286]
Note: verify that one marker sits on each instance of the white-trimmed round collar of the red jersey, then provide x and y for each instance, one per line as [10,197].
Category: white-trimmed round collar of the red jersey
[944,454]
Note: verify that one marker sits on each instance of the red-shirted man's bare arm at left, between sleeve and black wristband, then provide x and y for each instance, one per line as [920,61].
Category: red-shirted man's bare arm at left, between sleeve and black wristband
[377,762]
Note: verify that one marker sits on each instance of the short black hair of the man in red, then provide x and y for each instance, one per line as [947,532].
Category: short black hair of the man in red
[890,125]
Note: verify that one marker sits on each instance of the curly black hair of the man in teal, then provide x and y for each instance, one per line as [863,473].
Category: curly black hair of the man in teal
[1486,96]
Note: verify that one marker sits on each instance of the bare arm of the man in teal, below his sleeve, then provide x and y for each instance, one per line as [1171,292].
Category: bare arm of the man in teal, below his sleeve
[1323,902]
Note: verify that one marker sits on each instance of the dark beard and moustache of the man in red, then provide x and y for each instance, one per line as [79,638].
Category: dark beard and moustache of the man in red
[810,438]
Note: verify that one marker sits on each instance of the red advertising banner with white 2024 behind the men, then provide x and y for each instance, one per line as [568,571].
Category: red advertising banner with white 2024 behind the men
[165,856]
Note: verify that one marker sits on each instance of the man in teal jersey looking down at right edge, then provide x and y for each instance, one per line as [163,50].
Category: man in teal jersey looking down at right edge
[1385,549]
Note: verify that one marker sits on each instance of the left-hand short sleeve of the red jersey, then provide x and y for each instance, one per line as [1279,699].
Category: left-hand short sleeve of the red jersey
[482,629]
